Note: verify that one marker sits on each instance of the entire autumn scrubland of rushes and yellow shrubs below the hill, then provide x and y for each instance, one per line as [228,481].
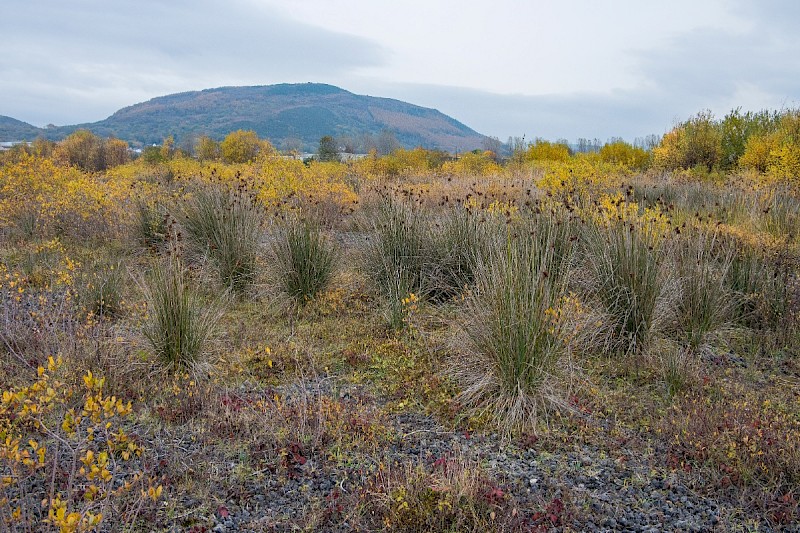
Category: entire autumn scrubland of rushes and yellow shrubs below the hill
[411,342]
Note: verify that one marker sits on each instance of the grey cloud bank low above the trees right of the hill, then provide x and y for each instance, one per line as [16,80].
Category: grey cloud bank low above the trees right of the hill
[699,69]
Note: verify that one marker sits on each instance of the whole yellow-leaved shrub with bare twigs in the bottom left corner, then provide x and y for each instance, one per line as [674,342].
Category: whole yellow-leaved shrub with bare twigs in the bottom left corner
[67,460]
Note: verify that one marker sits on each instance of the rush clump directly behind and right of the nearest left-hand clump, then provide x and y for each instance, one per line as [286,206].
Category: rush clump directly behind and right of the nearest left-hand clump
[224,224]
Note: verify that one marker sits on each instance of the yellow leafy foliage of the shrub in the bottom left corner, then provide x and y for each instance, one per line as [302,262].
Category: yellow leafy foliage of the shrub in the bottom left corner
[29,411]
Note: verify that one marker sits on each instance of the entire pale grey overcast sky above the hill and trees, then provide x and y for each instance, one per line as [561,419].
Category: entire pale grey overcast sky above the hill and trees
[542,68]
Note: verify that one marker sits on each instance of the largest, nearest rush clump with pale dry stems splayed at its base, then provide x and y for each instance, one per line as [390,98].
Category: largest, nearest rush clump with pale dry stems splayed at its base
[513,332]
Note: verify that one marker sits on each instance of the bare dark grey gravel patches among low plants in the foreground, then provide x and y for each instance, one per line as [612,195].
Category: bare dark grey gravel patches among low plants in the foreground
[604,493]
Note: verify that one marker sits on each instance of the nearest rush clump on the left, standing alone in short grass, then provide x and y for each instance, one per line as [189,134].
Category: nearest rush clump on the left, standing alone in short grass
[179,324]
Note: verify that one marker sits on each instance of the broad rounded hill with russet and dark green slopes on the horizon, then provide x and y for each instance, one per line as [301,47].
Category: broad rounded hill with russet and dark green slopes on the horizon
[305,111]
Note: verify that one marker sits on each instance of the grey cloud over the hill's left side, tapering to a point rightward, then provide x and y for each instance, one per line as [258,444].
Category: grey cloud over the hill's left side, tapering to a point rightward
[69,62]
